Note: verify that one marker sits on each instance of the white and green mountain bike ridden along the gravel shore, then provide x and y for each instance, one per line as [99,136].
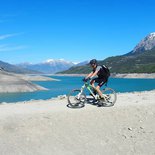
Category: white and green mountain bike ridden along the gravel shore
[77,98]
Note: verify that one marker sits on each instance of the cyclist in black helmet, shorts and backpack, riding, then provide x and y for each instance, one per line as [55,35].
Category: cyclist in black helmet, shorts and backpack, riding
[101,78]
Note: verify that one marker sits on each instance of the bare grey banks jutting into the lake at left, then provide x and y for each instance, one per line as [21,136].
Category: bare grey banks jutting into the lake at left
[11,82]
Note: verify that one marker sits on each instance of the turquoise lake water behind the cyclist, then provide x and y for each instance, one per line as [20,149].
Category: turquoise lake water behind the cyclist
[68,83]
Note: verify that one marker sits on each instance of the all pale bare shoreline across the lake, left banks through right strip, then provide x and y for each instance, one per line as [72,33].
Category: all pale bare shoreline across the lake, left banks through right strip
[10,82]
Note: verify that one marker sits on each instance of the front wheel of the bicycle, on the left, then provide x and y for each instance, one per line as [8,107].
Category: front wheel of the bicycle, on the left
[76,99]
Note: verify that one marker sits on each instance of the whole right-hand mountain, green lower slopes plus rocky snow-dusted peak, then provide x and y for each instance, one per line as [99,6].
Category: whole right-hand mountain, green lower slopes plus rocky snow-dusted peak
[140,60]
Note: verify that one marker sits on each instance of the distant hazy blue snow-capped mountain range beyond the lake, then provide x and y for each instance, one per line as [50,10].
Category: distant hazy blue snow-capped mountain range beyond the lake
[49,66]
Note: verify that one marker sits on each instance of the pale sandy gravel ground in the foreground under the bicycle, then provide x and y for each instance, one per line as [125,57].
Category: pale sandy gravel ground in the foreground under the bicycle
[51,128]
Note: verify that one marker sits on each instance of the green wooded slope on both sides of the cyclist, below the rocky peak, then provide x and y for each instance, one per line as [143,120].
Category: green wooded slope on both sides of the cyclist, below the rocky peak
[142,62]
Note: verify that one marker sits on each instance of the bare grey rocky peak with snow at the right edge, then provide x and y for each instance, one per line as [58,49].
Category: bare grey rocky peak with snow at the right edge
[147,43]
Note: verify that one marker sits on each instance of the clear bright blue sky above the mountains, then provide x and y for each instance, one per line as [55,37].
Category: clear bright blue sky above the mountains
[74,30]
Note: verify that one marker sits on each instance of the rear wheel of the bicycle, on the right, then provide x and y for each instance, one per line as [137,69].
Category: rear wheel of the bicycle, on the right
[110,97]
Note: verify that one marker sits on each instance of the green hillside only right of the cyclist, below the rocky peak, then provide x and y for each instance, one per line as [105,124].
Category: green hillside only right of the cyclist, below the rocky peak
[141,63]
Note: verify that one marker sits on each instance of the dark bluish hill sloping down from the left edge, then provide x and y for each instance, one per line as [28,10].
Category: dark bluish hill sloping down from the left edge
[15,69]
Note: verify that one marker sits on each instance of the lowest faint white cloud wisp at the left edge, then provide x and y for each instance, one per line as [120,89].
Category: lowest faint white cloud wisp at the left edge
[7,47]
